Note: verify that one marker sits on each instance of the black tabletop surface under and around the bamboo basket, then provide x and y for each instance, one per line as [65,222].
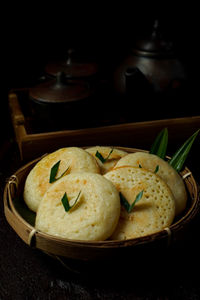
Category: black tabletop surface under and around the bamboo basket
[27,273]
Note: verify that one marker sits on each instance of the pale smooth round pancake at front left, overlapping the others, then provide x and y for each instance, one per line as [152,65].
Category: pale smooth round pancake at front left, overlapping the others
[95,215]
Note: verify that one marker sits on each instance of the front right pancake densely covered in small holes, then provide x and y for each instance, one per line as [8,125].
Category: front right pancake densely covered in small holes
[152,213]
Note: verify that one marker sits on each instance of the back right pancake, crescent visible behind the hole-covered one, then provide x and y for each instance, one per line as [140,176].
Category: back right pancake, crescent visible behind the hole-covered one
[165,171]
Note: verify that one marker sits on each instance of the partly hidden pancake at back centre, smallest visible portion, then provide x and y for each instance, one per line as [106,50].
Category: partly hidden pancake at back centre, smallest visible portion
[106,157]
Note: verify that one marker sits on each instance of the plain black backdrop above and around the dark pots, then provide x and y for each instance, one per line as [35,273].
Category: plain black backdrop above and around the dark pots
[35,35]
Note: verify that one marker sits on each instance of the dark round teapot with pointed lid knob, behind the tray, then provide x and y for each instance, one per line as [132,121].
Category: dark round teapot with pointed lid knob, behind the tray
[150,74]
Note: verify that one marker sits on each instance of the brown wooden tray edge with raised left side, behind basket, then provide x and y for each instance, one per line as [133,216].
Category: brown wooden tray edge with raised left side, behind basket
[137,134]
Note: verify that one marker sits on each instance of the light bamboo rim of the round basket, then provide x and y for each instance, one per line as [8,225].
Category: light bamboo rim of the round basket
[166,232]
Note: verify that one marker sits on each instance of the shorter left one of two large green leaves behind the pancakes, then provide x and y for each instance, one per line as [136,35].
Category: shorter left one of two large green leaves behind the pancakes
[159,147]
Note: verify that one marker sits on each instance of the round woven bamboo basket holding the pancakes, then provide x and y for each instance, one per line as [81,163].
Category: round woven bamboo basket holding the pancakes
[21,219]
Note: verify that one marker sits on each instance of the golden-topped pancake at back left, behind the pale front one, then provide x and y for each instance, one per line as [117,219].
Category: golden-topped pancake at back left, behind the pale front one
[72,159]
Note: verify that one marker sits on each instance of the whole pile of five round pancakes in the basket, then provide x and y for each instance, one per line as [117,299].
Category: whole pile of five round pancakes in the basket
[97,213]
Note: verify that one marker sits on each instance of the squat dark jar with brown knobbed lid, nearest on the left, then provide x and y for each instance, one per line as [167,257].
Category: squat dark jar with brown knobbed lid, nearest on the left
[61,102]
